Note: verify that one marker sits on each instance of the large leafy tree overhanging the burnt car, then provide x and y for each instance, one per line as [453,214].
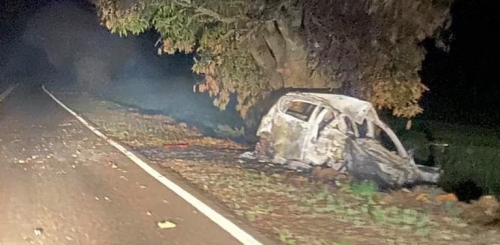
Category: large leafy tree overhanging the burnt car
[370,48]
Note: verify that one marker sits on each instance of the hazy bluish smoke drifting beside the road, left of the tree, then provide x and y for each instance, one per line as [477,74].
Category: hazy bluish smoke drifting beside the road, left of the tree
[81,52]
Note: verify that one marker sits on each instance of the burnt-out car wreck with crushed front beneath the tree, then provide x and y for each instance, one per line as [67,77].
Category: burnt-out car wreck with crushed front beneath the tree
[340,132]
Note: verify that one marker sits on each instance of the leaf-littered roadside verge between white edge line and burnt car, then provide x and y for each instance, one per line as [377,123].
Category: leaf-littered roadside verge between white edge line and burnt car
[314,208]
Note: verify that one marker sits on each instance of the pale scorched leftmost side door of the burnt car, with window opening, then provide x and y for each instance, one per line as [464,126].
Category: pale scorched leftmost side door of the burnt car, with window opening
[291,127]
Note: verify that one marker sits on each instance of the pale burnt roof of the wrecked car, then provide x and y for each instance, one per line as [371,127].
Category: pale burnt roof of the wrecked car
[356,109]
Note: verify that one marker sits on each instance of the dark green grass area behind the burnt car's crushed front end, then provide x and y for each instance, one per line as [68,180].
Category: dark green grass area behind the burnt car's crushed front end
[473,152]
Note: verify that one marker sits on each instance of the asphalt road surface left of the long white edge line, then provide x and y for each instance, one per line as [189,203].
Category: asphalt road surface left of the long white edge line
[61,184]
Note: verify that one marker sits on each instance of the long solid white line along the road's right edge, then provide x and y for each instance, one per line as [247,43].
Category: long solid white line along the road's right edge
[217,218]
